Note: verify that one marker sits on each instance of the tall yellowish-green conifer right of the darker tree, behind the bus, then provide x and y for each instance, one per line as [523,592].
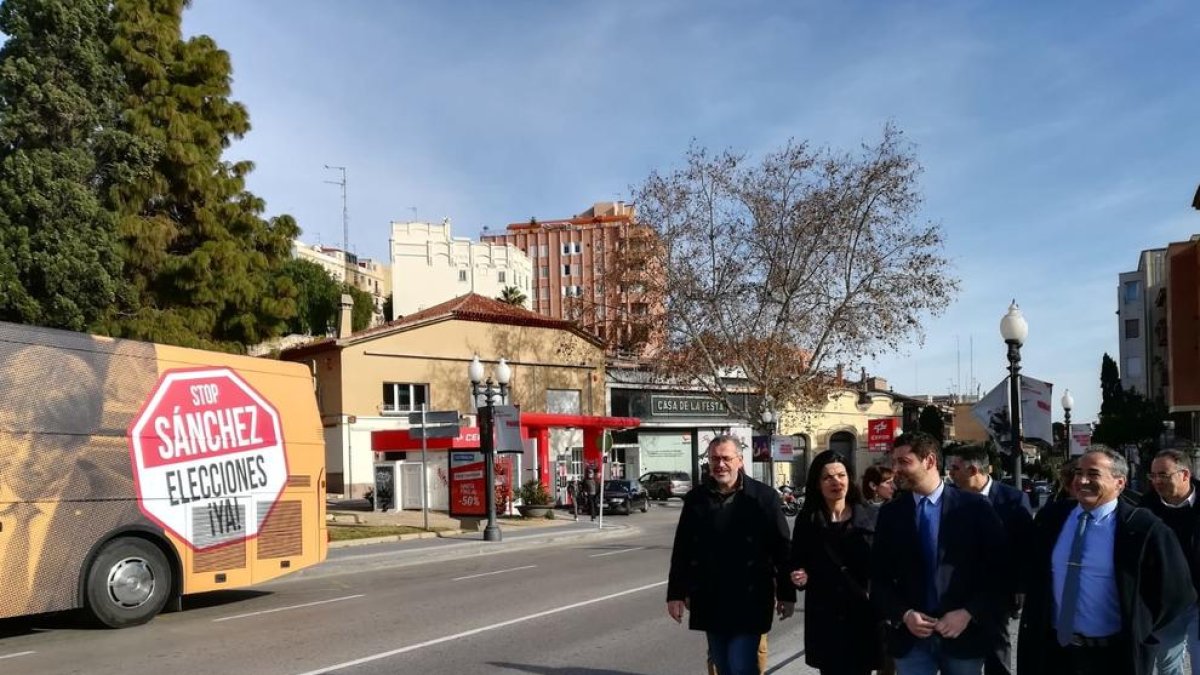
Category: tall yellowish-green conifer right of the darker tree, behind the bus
[206,266]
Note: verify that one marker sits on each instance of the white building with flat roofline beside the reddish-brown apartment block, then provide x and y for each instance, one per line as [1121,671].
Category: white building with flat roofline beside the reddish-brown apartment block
[430,267]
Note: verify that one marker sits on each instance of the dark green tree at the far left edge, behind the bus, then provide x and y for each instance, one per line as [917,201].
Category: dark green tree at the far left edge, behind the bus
[59,97]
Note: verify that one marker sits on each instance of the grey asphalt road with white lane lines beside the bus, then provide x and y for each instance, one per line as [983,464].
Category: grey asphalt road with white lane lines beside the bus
[585,606]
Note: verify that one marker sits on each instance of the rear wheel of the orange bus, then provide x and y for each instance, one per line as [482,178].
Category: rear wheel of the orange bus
[129,583]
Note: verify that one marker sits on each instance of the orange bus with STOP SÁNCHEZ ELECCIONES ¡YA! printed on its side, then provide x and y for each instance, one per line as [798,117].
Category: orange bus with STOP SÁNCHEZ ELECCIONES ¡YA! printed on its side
[134,474]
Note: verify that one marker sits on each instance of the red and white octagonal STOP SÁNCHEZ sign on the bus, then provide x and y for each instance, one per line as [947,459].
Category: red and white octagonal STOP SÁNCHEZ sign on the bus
[208,457]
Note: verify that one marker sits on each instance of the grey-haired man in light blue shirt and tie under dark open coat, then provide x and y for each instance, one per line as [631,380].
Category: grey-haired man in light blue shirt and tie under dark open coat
[1106,577]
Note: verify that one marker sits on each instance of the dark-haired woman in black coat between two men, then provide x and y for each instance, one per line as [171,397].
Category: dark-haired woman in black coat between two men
[831,563]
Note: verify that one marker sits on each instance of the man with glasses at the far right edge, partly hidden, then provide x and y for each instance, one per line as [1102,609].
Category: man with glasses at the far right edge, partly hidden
[1174,500]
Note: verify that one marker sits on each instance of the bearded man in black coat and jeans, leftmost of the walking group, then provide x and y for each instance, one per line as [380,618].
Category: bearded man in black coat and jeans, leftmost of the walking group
[730,563]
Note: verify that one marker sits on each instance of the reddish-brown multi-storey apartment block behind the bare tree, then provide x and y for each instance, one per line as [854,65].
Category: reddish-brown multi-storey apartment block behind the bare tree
[572,260]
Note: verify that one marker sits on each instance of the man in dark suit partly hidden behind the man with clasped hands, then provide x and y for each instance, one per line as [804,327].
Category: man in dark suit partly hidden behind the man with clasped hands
[970,470]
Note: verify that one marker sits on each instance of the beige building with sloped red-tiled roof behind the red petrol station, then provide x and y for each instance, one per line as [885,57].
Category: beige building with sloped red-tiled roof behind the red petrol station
[371,380]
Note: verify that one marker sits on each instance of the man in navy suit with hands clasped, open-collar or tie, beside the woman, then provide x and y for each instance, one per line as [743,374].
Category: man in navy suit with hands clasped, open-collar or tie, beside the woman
[935,566]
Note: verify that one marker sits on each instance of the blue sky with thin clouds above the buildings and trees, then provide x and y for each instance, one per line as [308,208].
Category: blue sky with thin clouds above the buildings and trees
[1059,140]
